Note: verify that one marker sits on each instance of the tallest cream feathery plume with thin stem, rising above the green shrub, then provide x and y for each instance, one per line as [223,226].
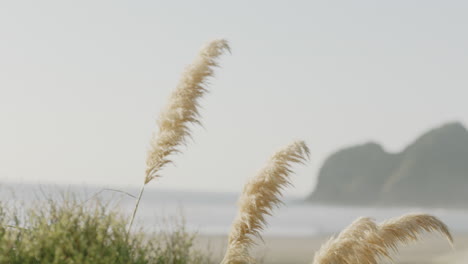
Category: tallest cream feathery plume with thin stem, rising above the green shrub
[180,112]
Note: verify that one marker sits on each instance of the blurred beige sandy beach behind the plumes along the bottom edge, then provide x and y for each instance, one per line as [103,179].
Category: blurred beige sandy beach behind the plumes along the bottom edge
[433,249]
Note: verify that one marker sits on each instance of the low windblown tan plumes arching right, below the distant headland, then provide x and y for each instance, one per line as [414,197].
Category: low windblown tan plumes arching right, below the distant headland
[366,242]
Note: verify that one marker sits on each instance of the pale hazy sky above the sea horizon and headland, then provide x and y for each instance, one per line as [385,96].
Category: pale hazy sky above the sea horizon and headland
[82,82]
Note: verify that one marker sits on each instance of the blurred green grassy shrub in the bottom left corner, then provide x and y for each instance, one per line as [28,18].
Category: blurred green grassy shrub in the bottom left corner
[70,232]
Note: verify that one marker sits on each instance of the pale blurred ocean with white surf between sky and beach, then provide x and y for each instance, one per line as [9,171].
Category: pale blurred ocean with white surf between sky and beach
[213,213]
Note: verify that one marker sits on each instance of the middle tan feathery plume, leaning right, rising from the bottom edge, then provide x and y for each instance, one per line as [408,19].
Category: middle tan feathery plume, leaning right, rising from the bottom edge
[260,195]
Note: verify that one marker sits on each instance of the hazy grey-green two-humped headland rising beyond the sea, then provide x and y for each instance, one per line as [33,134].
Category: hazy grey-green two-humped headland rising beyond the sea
[431,172]
